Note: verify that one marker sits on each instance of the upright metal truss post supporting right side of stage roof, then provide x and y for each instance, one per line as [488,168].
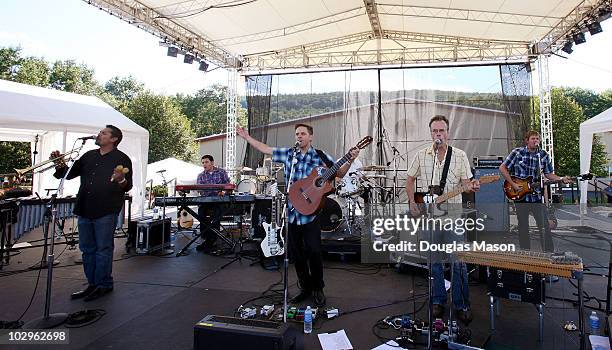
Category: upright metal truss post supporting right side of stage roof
[546,130]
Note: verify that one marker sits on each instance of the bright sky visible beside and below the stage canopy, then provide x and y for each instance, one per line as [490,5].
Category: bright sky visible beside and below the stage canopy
[72,29]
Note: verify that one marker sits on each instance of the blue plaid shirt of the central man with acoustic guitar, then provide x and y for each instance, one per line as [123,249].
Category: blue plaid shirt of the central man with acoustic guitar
[303,168]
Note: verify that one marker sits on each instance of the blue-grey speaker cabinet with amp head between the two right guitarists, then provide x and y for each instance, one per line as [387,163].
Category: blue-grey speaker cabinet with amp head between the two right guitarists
[491,202]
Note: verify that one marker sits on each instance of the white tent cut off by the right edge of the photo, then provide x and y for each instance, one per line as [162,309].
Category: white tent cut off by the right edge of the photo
[598,124]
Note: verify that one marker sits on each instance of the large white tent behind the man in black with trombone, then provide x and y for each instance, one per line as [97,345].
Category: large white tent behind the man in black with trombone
[58,118]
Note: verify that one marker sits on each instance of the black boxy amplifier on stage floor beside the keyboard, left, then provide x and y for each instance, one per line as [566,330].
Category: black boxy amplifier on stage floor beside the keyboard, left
[149,236]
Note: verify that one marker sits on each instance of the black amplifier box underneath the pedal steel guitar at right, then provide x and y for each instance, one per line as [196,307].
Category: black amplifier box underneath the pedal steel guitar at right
[518,286]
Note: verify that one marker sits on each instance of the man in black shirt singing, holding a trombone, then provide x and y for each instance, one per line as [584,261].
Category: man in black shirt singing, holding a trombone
[99,201]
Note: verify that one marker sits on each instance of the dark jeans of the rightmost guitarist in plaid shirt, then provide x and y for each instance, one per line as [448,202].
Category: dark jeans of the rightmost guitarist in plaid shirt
[540,214]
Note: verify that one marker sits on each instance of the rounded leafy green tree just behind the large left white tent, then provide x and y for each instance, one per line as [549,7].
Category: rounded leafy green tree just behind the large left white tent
[170,134]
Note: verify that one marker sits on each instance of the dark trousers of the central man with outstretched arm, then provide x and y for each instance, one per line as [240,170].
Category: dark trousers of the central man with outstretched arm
[305,248]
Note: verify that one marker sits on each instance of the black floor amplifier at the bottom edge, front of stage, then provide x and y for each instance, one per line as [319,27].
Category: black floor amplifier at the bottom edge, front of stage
[222,332]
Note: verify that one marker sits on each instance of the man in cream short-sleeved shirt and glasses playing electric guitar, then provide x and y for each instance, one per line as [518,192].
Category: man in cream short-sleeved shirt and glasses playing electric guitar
[448,167]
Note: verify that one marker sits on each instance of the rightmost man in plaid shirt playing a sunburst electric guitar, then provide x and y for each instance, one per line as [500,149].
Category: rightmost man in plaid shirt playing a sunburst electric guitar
[524,162]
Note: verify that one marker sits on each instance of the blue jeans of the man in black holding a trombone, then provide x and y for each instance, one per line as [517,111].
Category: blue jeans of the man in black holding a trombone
[97,243]
